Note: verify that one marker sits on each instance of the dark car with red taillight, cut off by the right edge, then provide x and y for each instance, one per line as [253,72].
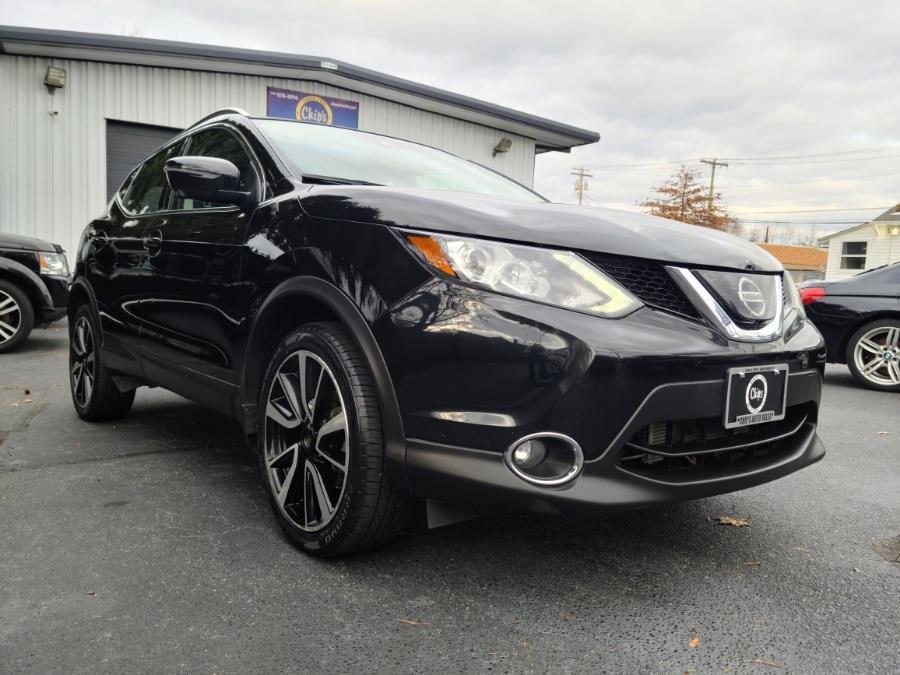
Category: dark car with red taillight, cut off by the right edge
[860,319]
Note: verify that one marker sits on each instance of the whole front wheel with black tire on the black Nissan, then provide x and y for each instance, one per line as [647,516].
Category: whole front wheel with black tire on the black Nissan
[321,447]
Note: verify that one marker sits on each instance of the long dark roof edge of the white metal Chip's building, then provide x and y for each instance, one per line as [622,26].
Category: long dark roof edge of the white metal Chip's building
[549,134]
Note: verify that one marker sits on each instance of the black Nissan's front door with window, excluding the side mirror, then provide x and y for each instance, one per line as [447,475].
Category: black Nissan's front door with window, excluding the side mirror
[189,303]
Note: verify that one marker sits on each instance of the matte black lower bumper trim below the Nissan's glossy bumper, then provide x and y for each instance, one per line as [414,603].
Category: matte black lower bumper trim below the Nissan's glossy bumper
[481,478]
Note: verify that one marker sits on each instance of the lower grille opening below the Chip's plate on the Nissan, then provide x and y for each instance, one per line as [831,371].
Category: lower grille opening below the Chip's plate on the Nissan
[688,450]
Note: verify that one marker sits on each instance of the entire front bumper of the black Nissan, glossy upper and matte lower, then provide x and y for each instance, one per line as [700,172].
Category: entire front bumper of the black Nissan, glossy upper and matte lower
[474,372]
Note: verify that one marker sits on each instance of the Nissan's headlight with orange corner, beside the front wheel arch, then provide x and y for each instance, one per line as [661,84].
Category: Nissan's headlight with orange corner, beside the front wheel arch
[558,278]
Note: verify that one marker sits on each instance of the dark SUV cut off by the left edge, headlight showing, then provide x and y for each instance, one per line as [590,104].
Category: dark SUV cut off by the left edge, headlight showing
[34,287]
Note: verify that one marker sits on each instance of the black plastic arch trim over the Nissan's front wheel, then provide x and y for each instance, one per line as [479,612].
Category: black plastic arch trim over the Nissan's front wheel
[301,300]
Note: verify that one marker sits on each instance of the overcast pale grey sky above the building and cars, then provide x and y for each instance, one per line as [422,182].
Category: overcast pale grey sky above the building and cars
[661,82]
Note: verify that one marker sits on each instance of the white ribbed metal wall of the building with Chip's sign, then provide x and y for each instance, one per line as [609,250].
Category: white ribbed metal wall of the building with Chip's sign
[53,166]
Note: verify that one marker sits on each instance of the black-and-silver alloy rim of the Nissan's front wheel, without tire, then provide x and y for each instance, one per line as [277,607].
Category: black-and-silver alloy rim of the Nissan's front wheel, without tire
[306,441]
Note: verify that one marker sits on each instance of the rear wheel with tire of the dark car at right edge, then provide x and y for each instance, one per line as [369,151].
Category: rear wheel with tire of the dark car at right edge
[873,355]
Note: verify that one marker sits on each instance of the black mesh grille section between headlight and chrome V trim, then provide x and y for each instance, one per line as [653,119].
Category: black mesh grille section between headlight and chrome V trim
[647,280]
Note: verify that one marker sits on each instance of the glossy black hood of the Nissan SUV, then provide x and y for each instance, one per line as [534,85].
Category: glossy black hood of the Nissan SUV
[555,225]
